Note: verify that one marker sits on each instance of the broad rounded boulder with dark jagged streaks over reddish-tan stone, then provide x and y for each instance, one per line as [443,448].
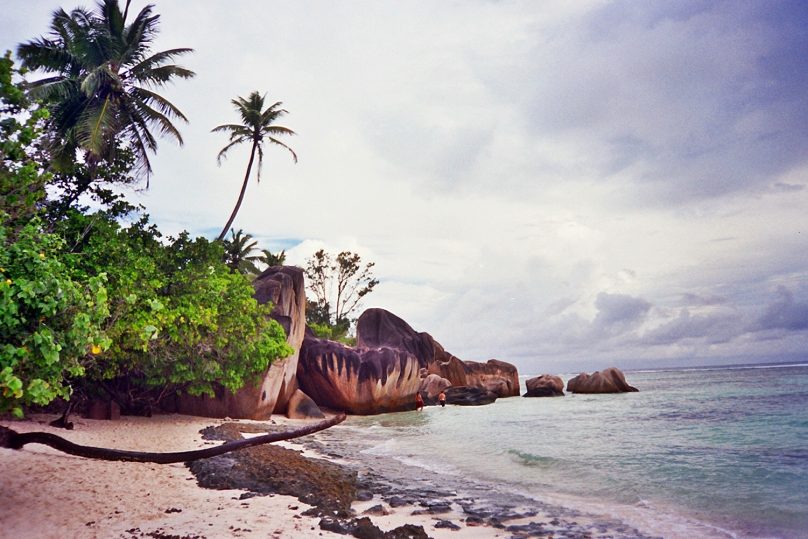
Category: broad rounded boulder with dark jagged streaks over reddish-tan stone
[358,380]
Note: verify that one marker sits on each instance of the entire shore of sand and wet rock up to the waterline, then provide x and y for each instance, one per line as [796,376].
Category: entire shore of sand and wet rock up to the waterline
[46,493]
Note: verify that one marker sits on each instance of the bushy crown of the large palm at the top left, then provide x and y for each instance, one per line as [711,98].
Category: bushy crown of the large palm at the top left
[101,91]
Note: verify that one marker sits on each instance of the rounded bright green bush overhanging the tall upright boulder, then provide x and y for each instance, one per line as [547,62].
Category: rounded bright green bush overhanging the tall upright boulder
[179,317]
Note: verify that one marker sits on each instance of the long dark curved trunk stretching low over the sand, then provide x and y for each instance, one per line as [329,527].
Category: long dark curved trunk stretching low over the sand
[15,440]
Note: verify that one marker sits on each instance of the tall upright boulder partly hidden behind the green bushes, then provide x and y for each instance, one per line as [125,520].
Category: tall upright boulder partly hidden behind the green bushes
[284,287]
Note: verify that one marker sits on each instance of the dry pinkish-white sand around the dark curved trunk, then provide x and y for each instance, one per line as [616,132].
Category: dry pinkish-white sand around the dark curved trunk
[45,493]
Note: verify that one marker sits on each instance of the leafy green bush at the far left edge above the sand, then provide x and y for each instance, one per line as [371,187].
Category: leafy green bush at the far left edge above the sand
[50,323]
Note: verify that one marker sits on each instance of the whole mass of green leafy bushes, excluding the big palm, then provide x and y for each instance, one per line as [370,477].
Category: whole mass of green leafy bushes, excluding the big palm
[90,304]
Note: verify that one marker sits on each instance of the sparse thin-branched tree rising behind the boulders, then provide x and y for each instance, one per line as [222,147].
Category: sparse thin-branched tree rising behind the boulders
[338,284]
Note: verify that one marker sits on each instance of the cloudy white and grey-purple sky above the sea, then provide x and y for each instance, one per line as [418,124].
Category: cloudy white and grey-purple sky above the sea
[562,185]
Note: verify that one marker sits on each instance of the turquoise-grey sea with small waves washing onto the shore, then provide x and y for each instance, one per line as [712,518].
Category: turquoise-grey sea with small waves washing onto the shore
[702,452]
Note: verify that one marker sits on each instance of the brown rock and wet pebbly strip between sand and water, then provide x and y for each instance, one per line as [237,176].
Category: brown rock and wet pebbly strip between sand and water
[453,502]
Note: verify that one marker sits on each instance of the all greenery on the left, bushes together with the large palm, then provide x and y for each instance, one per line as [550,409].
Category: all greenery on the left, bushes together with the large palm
[97,301]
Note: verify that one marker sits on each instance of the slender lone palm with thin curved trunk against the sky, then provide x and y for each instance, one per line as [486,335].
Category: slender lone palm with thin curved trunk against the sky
[257,127]
